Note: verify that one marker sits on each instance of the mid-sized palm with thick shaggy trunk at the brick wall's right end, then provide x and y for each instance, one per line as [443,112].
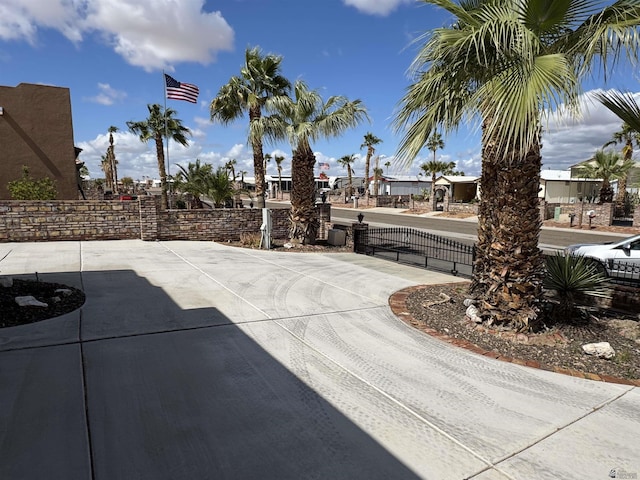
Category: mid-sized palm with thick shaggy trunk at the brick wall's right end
[302,119]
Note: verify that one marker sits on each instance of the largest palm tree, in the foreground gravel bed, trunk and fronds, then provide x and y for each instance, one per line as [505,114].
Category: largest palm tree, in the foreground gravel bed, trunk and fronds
[503,63]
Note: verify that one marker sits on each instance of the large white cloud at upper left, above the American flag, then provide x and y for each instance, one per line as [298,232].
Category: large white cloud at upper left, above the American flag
[152,34]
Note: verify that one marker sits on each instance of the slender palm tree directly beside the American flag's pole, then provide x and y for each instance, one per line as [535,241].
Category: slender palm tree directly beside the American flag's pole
[159,125]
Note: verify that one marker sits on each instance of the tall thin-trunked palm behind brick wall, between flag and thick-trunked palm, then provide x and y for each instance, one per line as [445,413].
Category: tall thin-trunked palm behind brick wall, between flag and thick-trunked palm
[259,80]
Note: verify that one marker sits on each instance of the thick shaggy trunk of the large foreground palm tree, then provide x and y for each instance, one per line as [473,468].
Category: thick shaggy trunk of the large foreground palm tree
[509,269]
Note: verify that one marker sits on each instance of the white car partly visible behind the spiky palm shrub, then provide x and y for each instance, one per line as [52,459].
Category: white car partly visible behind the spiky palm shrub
[618,259]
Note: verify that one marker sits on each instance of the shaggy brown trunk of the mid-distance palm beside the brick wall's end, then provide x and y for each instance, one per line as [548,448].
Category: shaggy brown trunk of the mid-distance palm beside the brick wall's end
[304,224]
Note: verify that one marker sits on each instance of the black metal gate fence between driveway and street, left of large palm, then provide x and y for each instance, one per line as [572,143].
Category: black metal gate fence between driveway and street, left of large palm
[408,245]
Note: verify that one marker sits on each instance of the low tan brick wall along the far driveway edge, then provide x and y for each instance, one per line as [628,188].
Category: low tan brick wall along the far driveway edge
[110,220]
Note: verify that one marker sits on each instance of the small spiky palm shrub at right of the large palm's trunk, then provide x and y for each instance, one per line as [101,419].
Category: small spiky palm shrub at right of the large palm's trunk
[573,281]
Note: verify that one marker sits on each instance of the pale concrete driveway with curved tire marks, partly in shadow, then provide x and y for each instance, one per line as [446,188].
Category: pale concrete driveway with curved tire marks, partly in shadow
[195,360]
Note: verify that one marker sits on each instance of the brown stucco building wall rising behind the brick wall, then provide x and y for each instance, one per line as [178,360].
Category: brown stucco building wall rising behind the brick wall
[36,130]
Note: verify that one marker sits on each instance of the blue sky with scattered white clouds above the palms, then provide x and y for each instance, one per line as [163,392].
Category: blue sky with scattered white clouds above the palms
[111,54]
